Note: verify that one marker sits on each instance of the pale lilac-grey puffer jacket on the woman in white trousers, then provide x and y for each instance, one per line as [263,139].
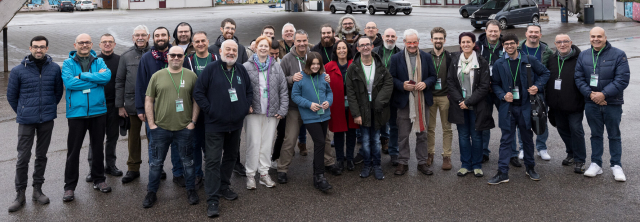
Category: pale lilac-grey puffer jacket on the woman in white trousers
[277,90]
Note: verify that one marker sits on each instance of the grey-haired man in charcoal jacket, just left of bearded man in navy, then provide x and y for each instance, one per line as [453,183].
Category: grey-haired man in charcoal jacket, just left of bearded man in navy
[125,97]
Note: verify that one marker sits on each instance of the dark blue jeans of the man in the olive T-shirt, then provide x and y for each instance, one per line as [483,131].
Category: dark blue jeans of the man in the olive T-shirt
[160,146]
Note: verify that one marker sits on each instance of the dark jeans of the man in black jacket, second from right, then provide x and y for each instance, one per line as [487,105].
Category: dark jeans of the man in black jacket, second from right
[572,133]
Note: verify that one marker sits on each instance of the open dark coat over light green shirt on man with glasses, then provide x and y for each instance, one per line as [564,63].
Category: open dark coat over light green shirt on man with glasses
[358,94]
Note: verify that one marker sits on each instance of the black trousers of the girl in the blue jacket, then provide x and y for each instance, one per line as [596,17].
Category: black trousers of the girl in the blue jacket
[318,132]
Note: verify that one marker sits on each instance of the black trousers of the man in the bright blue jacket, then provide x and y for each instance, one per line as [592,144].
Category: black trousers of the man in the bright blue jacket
[77,130]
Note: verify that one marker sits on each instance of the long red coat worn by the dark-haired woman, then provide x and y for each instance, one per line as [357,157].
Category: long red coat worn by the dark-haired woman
[338,122]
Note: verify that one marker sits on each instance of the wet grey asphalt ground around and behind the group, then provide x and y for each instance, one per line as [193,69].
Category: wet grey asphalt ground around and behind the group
[561,195]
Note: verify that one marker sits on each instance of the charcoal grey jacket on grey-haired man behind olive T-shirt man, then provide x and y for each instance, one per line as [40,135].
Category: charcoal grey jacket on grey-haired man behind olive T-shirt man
[126,78]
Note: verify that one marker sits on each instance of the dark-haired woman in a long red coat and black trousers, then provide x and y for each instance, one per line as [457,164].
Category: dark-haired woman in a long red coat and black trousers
[341,123]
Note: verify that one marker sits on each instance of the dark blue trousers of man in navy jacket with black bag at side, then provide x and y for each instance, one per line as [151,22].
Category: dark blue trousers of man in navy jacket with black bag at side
[508,140]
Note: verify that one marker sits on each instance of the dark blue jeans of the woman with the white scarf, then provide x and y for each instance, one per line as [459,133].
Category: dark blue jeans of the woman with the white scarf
[470,142]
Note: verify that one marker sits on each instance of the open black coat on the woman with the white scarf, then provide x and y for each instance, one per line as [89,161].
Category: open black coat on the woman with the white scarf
[480,89]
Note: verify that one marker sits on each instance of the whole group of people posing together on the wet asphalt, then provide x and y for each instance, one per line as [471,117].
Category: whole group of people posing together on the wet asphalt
[194,97]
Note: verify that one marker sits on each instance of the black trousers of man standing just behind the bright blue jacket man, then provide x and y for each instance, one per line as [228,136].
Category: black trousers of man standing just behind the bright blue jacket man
[112,133]
